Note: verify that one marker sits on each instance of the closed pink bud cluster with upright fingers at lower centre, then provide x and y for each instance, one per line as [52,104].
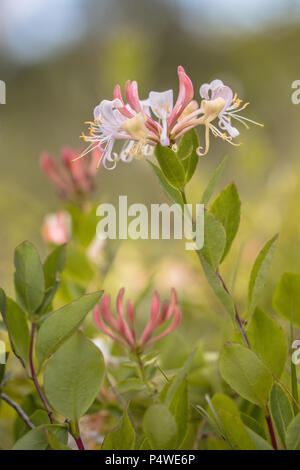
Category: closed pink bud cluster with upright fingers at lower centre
[123,330]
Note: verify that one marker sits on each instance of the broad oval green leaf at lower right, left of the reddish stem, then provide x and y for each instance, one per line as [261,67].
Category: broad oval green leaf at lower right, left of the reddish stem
[246,373]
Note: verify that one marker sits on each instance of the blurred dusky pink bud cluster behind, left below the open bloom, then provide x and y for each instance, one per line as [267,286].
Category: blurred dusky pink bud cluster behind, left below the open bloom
[71,177]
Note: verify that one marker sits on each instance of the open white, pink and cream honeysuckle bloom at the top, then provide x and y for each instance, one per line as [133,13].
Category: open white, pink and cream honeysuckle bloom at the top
[142,124]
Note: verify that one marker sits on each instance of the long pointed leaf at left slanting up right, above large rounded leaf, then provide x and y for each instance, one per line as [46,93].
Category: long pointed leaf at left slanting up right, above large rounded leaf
[62,323]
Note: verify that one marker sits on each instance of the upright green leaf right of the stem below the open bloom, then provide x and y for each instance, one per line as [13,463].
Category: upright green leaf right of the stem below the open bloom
[226,209]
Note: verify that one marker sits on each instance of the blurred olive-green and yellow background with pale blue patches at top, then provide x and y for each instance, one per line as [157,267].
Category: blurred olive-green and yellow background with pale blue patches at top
[59,58]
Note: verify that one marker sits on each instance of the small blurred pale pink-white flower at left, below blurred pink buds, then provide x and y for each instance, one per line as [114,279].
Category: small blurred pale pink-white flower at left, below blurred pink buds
[56,228]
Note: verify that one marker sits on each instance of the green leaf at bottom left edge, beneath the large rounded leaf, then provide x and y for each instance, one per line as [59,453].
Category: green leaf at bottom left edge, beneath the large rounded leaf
[36,439]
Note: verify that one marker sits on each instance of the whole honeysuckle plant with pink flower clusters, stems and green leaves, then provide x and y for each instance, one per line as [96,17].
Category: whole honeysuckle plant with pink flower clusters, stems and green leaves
[110,369]
